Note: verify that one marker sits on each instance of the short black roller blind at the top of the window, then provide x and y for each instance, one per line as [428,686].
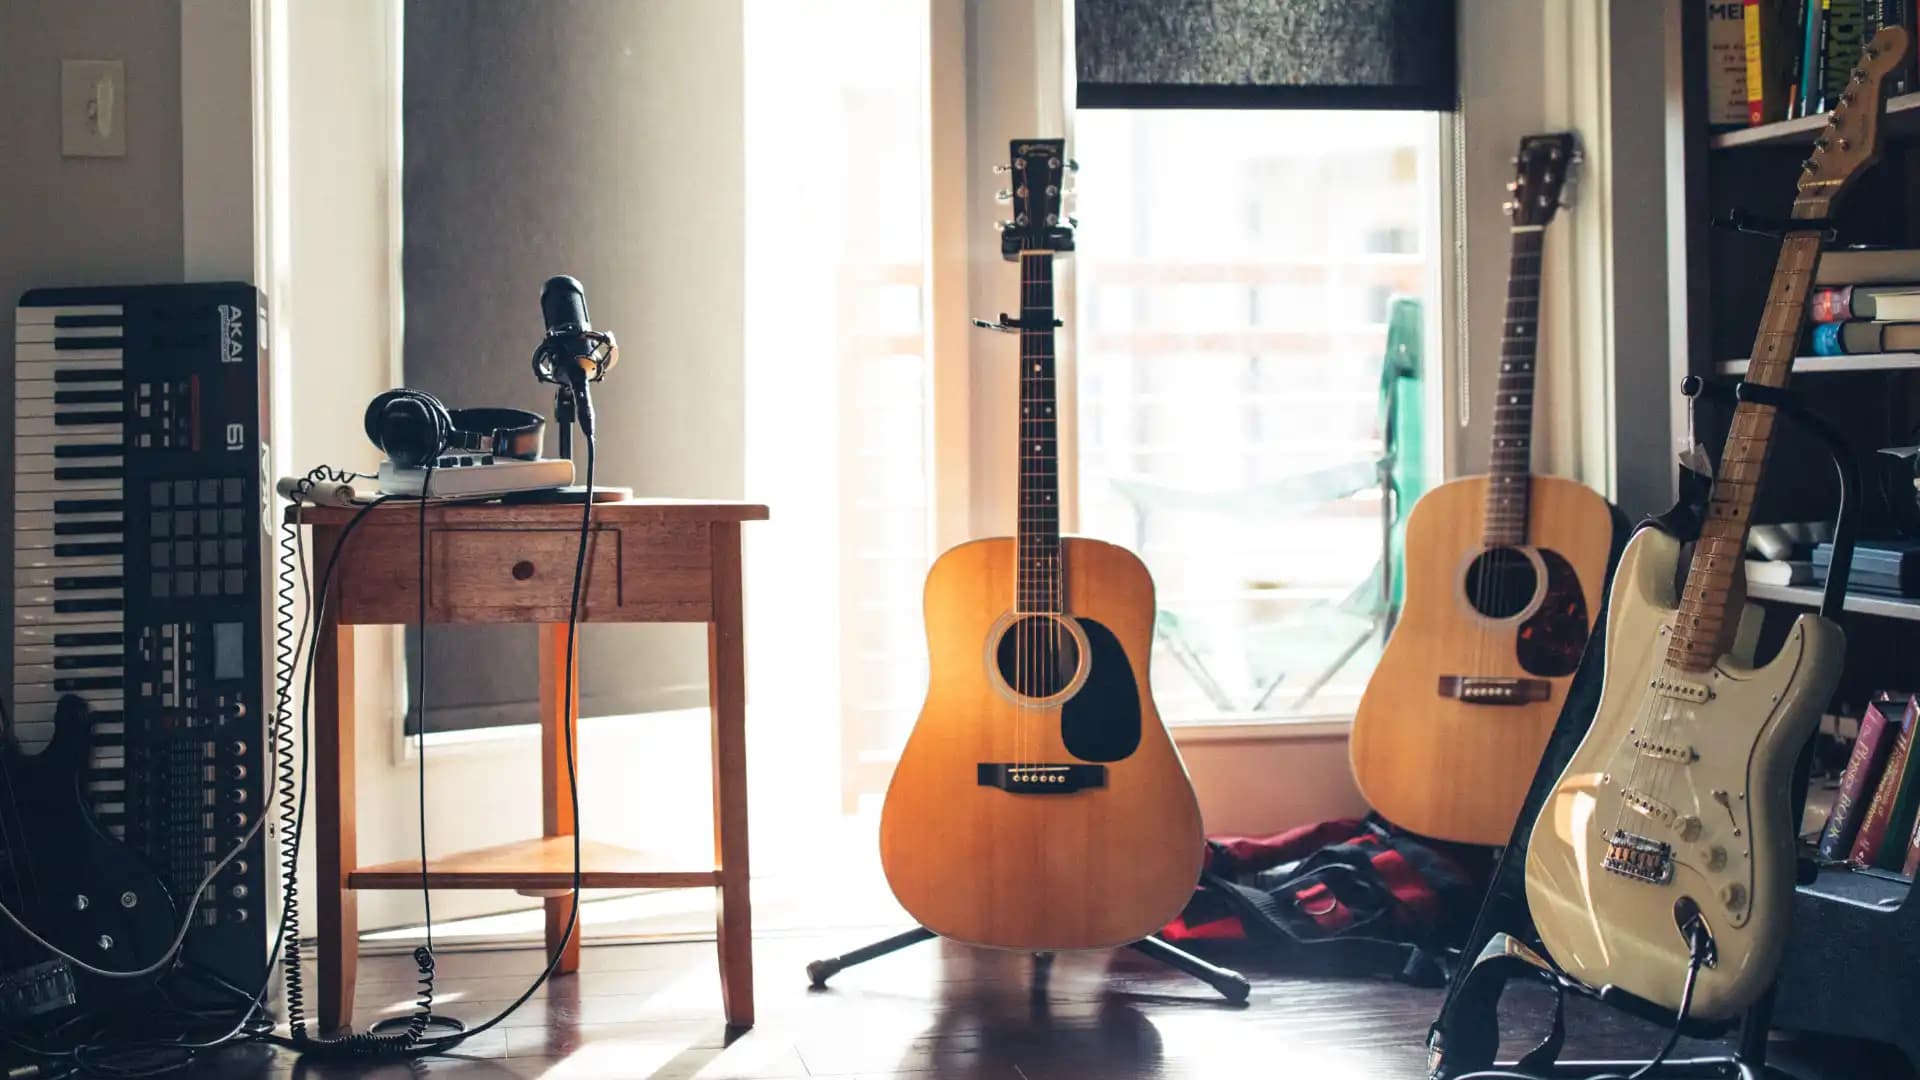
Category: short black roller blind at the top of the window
[1332,55]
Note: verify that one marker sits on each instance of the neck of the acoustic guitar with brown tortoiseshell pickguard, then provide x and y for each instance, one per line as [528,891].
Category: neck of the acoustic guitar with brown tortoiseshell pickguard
[1510,462]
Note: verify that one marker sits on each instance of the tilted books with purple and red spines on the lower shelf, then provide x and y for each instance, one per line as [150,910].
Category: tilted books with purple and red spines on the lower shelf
[1879,804]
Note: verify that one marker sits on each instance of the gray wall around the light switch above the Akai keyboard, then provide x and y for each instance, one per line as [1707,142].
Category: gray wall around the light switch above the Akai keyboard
[84,220]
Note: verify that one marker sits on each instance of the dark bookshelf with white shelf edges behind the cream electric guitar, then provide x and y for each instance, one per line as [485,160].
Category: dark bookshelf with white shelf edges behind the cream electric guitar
[1846,925]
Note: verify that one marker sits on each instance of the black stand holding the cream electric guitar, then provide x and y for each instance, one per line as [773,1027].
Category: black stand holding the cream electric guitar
[1466,1035]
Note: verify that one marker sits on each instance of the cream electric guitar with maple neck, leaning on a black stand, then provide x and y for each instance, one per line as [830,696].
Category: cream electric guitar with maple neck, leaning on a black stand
[1669,837]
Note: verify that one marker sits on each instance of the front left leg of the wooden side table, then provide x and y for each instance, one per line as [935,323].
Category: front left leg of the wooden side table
[335,839]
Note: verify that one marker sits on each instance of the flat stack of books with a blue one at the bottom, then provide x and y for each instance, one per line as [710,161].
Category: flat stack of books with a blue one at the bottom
[1867,301]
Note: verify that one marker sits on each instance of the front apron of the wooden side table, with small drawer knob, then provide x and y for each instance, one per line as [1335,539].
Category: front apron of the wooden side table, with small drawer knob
[635,574]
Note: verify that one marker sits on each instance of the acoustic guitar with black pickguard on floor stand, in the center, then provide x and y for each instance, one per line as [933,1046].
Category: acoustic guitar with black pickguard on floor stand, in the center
[1040,804]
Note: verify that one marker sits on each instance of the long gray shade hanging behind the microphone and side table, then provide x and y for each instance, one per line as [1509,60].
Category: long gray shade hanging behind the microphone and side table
[600,139]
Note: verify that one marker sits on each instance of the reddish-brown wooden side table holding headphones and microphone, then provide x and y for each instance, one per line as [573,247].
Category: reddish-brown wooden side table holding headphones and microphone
[648,562]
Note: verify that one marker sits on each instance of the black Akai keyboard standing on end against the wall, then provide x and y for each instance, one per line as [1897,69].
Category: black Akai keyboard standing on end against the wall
[139,566]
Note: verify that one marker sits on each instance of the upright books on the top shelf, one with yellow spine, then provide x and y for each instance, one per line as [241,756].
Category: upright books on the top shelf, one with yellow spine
[1771,61]
